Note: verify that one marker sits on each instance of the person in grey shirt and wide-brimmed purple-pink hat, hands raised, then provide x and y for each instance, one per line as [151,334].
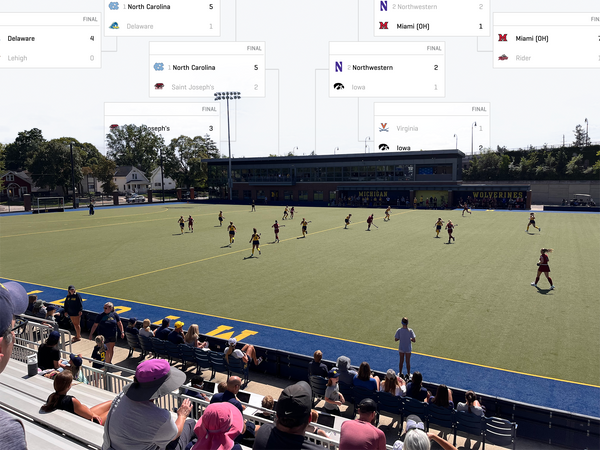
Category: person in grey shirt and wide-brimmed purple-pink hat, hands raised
[135,422]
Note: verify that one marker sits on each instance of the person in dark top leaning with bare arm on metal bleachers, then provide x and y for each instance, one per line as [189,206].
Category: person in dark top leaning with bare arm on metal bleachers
[60,400]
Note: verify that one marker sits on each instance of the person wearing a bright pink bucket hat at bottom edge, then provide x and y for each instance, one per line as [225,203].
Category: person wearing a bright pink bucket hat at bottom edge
[218,428]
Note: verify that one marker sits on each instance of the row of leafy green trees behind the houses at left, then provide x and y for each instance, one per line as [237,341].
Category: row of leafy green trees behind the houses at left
[48,162]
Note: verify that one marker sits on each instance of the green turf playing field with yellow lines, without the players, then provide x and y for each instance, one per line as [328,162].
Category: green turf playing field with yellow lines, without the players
[470,301]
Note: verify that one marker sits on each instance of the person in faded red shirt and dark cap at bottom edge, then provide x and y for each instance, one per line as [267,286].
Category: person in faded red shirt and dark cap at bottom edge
[362,434]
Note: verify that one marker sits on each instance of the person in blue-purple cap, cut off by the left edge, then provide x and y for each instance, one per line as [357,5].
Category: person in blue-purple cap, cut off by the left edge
[13,300]
